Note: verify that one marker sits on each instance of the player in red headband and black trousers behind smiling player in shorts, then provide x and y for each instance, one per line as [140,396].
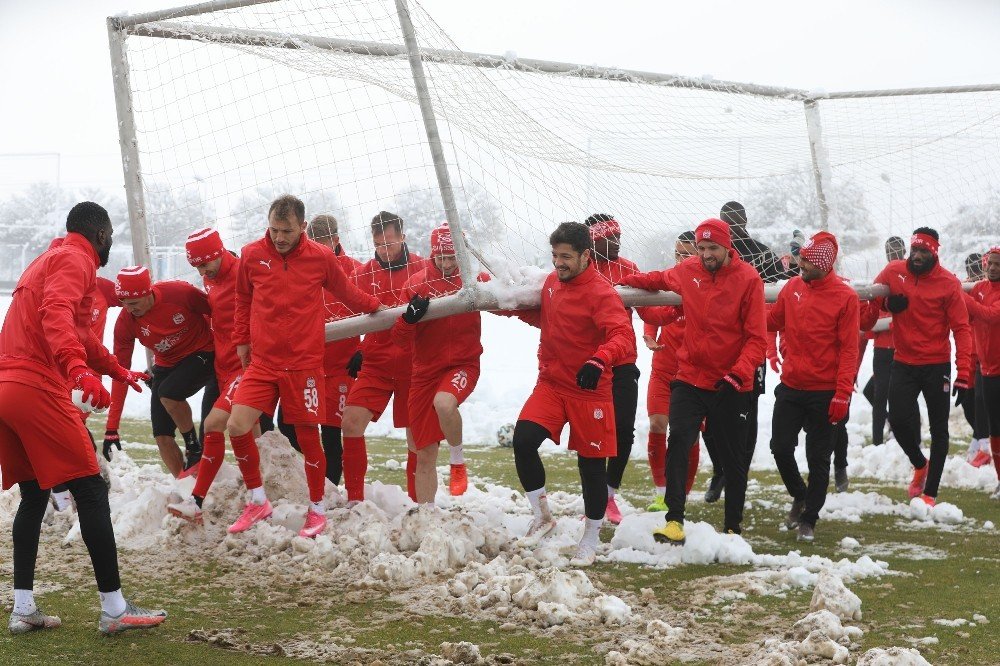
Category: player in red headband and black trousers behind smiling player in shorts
[605,232]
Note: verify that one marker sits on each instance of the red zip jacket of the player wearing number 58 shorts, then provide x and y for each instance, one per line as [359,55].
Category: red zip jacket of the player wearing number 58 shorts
[277,298]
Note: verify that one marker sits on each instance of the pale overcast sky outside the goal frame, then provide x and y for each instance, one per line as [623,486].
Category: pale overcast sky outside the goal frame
[57,81]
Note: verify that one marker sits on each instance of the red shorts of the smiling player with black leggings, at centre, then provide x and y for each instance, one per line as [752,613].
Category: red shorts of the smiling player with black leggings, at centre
[591,422]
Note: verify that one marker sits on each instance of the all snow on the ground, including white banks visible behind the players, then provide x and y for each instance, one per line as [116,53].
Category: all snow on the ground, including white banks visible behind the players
[470,543]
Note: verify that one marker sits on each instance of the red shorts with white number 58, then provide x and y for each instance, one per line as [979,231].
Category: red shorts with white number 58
[302,393]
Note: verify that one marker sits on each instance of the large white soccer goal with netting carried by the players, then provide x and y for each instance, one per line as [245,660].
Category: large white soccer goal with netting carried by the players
[359,106]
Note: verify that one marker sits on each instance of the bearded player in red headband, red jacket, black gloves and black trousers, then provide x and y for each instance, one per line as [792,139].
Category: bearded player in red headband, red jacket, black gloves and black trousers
[927,304]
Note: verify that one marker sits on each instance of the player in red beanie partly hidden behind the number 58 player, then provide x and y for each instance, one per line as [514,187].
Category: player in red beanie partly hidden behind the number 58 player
[218,268]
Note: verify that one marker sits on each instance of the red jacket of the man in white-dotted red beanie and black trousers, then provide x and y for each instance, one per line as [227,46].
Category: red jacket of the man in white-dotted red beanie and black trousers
[818,321]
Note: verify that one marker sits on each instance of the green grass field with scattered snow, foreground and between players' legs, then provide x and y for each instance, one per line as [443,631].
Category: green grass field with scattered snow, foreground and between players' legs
[221,614]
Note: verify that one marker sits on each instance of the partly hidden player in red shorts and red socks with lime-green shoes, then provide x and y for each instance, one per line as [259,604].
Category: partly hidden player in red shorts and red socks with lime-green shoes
[664,339]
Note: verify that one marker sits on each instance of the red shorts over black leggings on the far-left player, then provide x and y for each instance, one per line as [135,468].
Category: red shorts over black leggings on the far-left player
[42,437]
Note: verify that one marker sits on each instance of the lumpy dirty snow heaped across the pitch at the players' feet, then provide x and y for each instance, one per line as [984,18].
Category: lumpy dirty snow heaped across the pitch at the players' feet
[463,558]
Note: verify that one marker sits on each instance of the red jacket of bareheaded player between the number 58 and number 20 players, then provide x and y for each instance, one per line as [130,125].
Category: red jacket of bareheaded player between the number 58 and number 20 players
[382,357]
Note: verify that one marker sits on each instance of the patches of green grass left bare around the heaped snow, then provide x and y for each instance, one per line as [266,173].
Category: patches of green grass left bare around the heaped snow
[895,607]
